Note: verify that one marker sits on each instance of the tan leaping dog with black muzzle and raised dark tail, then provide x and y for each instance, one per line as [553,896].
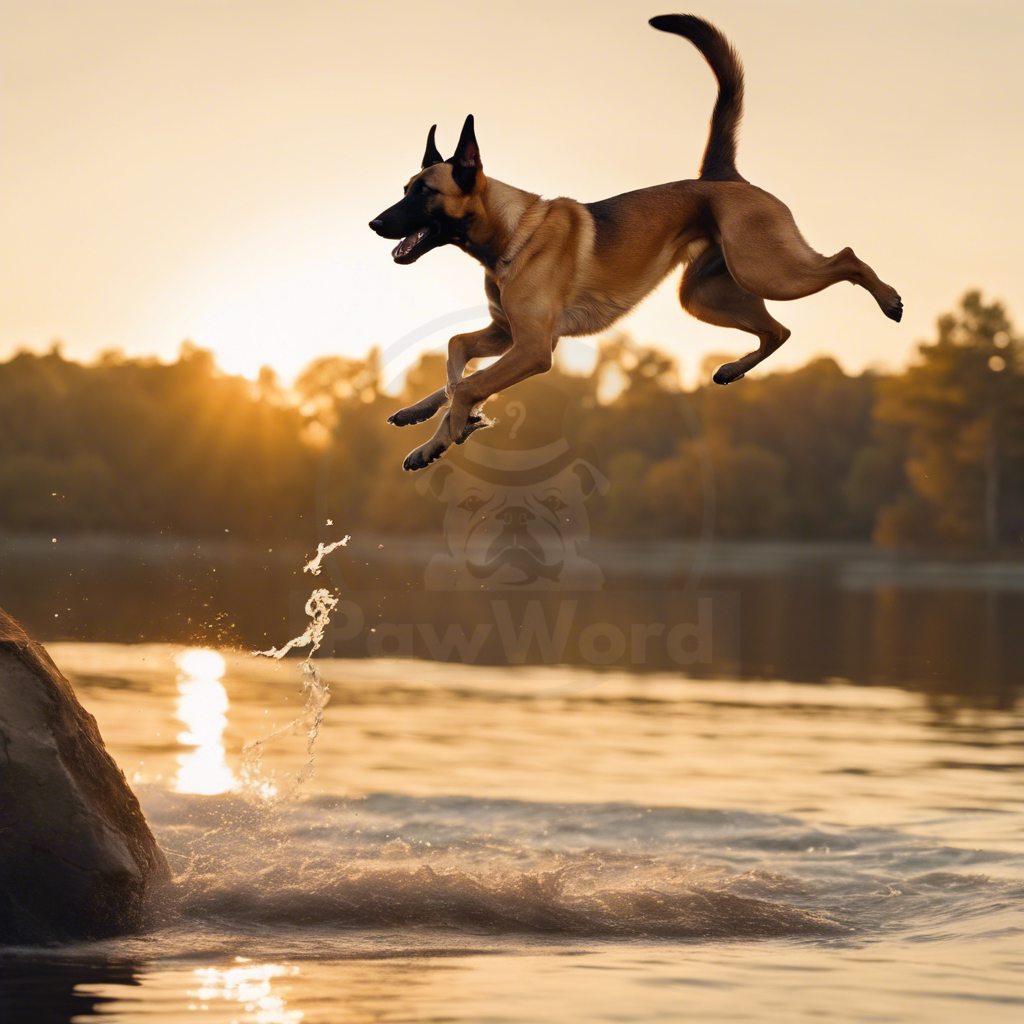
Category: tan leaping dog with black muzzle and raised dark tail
[557,268]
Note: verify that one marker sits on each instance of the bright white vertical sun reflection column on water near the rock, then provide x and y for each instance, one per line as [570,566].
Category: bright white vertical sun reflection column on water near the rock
[202,707]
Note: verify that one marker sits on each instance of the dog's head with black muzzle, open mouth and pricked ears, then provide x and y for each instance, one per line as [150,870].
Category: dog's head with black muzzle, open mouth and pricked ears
[441,202]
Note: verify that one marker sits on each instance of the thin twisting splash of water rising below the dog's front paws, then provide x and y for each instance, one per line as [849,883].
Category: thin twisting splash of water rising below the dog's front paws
[319,608]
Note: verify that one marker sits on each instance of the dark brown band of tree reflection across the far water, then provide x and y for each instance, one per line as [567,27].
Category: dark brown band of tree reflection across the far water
[800,613]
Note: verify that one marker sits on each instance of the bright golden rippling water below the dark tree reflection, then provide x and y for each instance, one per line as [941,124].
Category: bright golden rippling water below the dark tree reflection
[482,844]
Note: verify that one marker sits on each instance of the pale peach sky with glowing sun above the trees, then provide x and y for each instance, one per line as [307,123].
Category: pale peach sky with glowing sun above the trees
[206,170]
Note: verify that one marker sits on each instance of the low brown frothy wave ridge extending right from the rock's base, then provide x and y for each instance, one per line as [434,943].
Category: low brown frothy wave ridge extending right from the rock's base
[546,903]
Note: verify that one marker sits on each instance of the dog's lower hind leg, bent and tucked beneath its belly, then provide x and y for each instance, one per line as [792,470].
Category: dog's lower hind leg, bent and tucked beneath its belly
[709,293]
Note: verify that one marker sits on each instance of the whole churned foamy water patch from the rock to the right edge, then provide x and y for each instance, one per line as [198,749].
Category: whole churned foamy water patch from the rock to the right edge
[602,872]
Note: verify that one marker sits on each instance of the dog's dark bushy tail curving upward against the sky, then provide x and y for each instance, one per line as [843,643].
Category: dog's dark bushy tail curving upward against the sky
[719,162]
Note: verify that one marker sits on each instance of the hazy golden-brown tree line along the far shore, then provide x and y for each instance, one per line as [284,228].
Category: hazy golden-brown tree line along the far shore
[932,457]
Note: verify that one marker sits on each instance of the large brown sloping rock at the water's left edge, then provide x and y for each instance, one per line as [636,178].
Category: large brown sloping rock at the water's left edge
[77,859]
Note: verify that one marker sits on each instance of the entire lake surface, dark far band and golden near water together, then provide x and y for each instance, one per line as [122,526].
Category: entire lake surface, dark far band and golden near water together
[816,820]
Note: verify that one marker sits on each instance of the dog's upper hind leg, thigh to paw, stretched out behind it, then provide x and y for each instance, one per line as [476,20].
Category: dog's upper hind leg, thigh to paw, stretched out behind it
[769,258]
